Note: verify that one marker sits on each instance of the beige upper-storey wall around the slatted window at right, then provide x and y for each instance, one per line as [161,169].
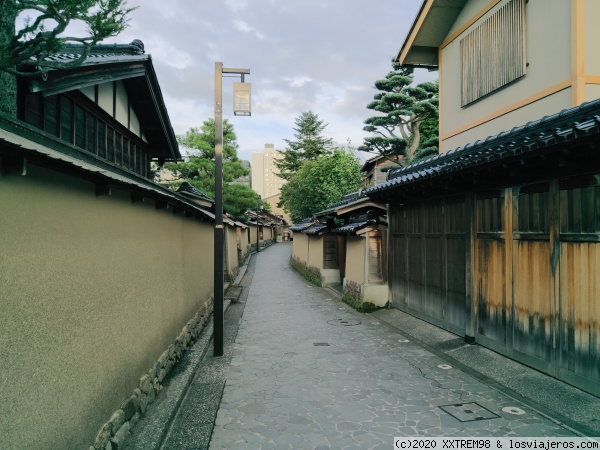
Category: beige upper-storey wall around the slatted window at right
[548,30]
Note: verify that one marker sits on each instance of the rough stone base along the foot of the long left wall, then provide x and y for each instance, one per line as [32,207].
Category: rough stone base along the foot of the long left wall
[114,432]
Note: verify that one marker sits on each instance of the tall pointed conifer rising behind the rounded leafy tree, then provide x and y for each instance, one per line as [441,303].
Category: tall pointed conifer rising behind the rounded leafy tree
[308,145]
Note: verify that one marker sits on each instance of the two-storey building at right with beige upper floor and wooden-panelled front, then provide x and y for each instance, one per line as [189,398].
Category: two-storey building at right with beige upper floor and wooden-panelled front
[498,238]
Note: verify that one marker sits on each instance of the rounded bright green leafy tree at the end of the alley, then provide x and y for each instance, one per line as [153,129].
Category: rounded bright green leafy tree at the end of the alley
[320,183]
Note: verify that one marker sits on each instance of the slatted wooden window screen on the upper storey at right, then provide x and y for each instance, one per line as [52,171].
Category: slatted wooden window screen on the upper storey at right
[493,54]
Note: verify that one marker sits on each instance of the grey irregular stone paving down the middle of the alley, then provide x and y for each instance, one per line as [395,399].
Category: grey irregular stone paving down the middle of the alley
[308,372]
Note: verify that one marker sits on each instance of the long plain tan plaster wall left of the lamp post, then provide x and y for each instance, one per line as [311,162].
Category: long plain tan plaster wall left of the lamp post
[92,291]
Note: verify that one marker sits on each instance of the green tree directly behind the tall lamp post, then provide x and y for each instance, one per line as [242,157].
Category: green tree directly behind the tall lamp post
[199,167]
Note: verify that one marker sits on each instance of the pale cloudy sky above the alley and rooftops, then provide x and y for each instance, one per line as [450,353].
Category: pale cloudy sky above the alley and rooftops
[318,55]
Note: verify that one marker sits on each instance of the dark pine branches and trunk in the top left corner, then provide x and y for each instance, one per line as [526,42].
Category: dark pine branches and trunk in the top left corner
[26,51]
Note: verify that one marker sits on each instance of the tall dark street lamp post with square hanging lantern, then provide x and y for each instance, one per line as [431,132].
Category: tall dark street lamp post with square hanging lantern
[241,107]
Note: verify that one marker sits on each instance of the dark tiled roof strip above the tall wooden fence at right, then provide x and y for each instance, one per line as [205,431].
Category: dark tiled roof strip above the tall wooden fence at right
[564,127]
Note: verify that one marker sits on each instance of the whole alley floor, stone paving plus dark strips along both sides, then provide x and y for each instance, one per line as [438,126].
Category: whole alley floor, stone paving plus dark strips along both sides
[302,370]
